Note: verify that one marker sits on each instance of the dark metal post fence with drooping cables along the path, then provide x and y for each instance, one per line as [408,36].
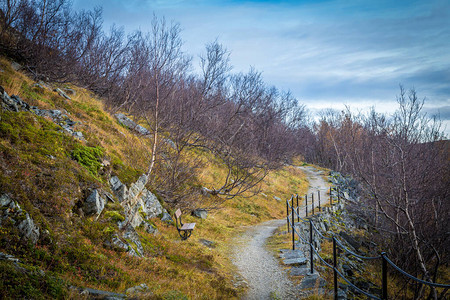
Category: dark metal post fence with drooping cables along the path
[383,256]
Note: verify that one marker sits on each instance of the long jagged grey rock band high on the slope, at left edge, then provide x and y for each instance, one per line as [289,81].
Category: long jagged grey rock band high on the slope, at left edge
[15,103]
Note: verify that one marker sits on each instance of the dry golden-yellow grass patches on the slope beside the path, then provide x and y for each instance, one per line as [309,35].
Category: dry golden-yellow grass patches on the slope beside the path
[170,265]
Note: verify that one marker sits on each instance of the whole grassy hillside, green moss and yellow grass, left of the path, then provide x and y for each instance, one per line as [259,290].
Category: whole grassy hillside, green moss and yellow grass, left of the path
[49,173]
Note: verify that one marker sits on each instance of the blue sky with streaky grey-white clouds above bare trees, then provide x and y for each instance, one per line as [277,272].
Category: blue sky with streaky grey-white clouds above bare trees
[328,53]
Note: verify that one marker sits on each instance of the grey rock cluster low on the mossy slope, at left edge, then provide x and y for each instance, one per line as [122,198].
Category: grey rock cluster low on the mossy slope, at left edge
[12,213]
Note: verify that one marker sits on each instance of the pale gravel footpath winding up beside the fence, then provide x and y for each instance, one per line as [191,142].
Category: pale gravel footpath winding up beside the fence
[265,277]
